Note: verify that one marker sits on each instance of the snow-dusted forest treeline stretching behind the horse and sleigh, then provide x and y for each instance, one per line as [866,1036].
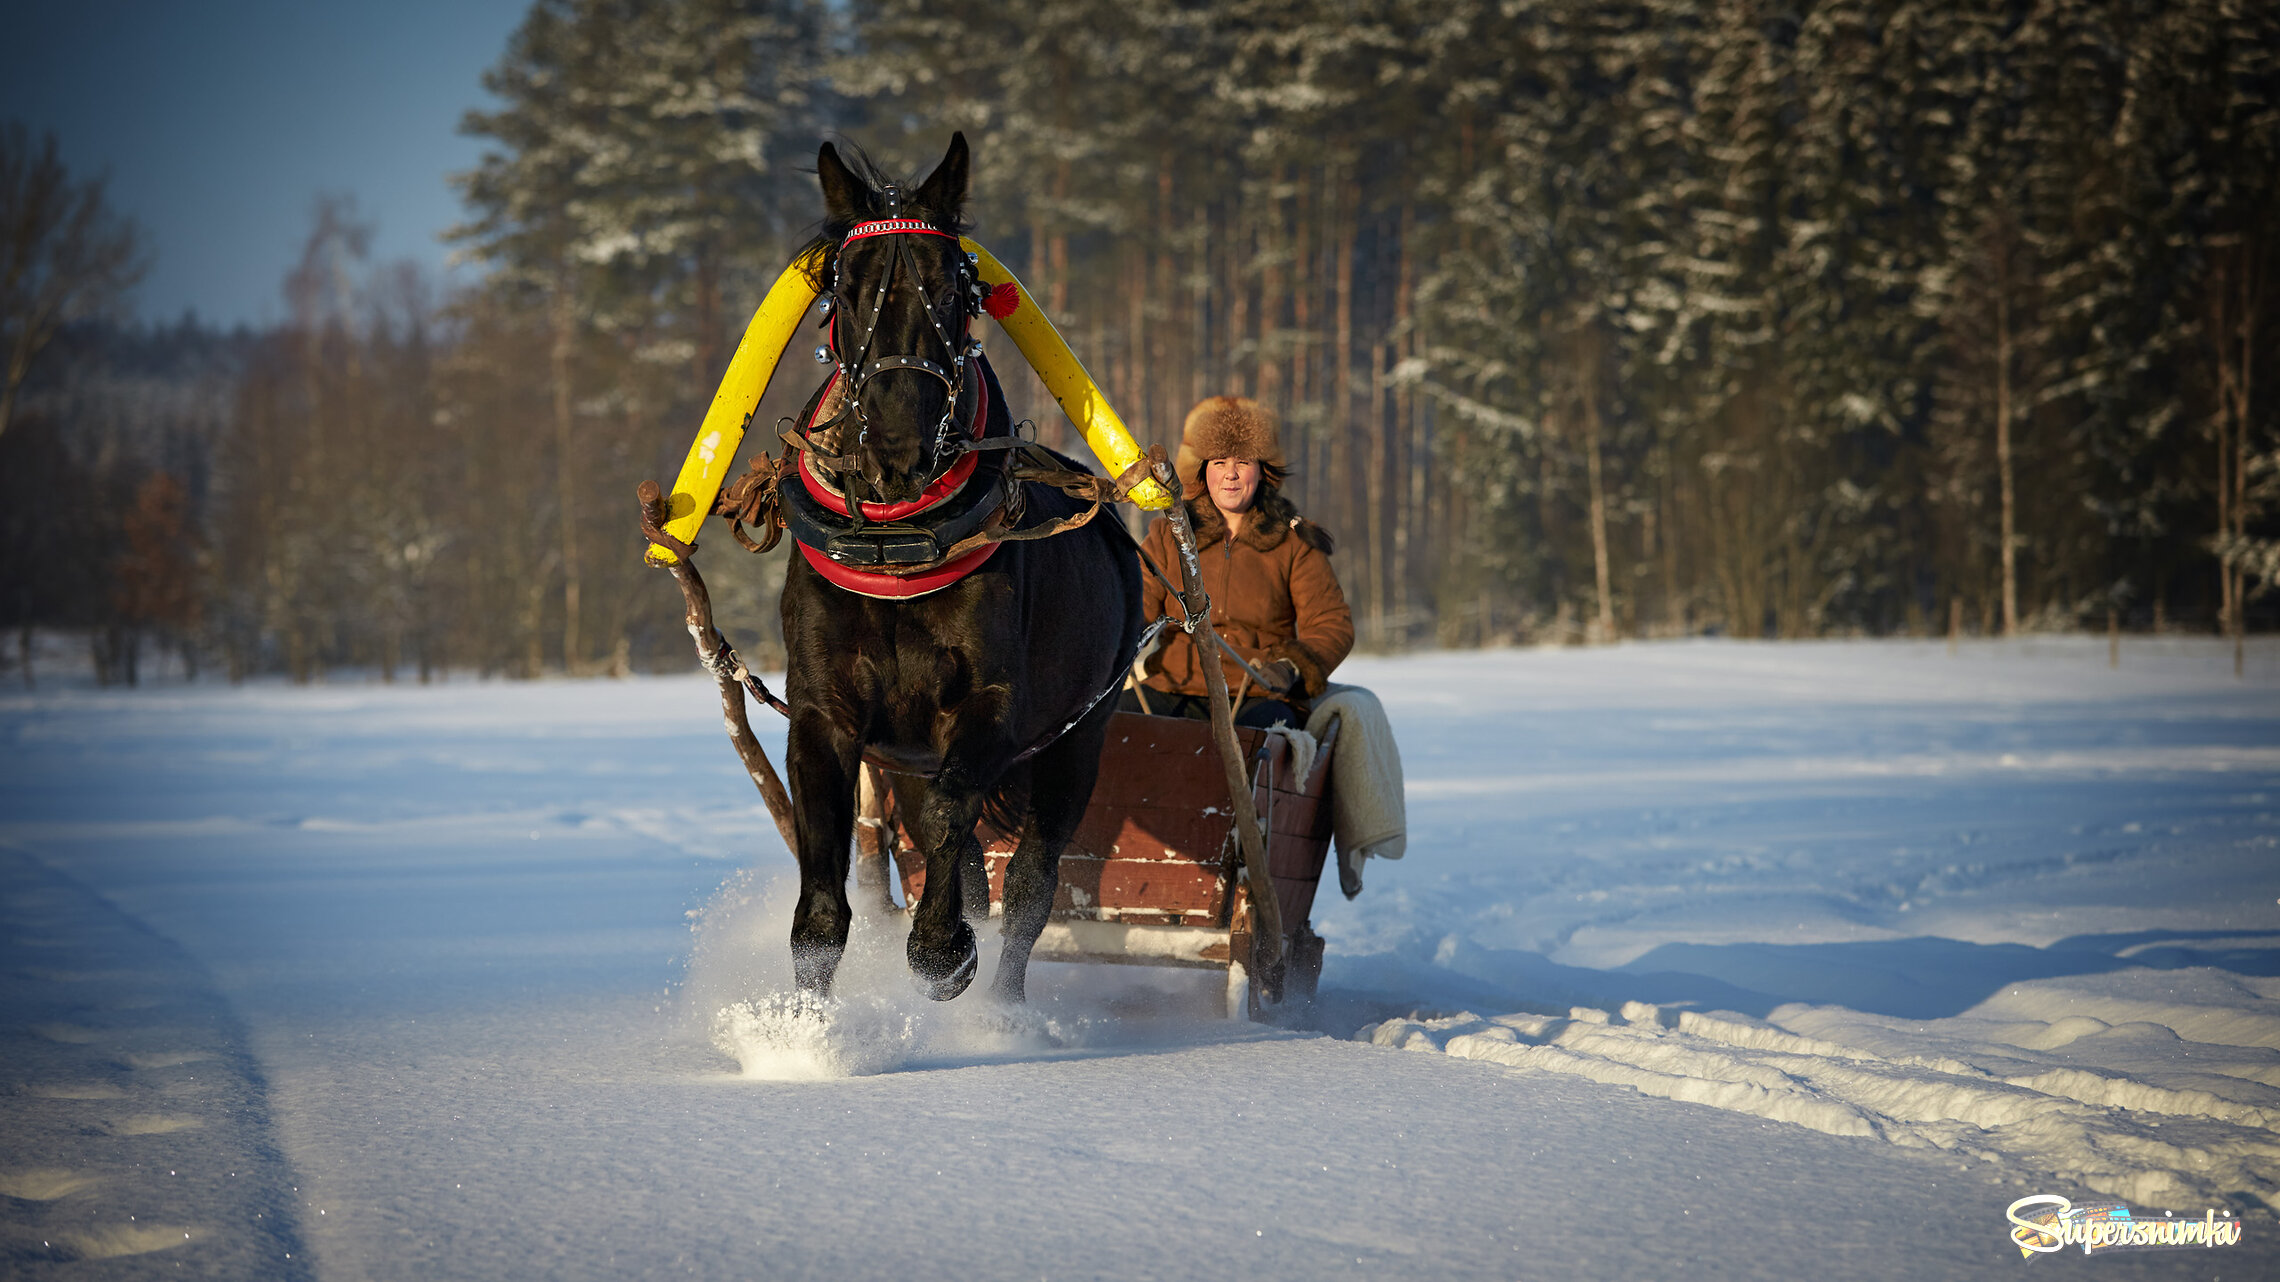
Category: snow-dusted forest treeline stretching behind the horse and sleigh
[1583,320]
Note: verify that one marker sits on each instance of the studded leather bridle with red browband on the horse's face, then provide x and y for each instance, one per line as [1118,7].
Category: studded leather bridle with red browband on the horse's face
[858,366]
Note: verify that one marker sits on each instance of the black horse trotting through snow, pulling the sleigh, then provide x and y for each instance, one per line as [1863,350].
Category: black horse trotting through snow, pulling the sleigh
[968,692]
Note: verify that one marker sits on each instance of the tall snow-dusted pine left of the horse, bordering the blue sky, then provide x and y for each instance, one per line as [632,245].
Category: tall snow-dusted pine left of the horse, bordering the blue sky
[644,168]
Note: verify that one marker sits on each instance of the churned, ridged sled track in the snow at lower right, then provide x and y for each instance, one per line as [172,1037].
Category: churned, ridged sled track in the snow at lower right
[1998,1096]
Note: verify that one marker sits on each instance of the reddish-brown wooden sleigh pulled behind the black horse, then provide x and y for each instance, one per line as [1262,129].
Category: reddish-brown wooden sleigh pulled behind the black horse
[1155,875]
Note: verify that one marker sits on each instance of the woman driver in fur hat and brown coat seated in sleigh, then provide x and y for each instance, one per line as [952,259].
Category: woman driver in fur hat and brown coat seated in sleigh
[1273,594]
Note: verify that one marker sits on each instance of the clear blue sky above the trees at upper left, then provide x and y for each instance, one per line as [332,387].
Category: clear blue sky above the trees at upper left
[220,124]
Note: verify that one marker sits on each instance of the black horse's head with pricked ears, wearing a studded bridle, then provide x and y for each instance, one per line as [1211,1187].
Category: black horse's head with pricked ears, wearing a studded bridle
[902,298]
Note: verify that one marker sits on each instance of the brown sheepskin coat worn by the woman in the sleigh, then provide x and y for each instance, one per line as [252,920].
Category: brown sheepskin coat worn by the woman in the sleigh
[1273,597]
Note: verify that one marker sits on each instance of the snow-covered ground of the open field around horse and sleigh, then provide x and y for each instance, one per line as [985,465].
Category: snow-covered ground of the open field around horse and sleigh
[1732,961]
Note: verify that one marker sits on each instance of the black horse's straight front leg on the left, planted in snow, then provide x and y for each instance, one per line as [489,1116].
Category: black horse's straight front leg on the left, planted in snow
[822,768]
